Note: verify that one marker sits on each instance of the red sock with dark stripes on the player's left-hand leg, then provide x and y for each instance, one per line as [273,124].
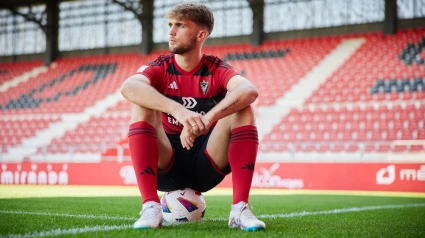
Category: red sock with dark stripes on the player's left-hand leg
[144,152]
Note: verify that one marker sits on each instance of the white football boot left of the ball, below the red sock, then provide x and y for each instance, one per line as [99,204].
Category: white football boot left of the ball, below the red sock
[150,216]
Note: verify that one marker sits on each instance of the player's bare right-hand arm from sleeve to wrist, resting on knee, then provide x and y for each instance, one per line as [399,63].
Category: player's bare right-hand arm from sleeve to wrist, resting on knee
[241,94]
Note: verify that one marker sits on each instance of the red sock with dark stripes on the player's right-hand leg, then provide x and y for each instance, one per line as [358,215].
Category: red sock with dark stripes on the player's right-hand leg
[242,155]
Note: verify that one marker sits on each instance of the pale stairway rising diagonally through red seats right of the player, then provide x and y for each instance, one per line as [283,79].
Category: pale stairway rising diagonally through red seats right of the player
[269,116]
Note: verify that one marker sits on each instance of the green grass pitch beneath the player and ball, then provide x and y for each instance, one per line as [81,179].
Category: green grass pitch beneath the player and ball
[53,216]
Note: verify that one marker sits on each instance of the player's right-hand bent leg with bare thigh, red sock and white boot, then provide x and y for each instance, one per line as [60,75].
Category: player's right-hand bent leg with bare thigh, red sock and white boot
[234,141]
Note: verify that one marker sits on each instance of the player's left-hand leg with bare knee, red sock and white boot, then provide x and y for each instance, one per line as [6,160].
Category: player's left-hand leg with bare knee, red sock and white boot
[150,150]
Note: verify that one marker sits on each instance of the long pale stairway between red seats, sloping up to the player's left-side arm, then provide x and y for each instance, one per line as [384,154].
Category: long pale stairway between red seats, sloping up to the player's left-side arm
[56,130]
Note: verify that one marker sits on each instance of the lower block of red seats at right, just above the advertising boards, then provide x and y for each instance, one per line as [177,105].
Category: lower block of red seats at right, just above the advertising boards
[368,124]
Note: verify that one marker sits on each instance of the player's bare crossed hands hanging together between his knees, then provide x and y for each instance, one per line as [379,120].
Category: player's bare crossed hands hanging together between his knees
[194,124]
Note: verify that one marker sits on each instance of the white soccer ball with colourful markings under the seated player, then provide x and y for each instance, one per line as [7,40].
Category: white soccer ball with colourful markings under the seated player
[182,206]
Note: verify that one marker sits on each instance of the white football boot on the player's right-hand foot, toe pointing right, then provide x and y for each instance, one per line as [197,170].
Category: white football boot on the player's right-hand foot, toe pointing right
[242,217]
